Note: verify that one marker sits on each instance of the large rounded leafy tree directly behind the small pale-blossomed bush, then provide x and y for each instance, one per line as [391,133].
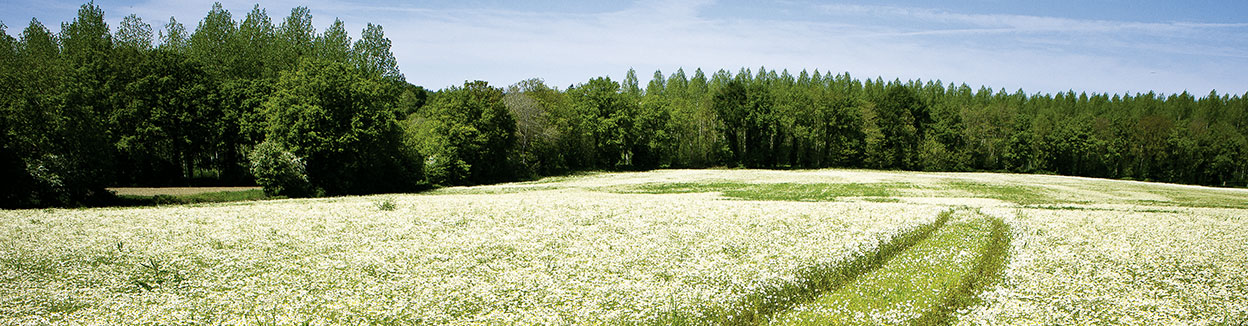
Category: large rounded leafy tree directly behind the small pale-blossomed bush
[343,122]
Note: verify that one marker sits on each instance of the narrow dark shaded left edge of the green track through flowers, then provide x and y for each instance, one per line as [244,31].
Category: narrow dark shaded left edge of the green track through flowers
[817,280]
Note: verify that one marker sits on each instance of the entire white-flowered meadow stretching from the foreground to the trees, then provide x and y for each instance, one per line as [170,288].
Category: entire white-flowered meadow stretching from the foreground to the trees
[658,248]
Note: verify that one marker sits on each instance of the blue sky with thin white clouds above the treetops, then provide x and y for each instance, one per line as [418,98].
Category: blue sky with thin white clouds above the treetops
[1039,47]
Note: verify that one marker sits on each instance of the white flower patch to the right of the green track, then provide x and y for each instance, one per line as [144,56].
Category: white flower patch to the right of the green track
[1133,267]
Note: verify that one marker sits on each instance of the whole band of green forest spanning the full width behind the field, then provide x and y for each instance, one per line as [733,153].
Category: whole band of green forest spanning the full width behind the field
[304,114]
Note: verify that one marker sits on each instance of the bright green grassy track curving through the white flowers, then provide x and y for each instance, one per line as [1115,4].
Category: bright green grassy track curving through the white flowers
[919,287]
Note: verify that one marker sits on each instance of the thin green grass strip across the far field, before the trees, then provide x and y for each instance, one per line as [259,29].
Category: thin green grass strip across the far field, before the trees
[771,192]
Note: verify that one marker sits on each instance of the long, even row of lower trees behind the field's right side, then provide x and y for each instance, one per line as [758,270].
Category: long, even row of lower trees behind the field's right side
[778,121]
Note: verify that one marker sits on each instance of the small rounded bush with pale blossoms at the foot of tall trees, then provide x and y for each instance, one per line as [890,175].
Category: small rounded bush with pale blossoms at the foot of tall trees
[279,172]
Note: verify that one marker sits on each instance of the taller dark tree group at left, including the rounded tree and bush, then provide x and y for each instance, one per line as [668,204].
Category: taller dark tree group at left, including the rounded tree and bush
[90,108]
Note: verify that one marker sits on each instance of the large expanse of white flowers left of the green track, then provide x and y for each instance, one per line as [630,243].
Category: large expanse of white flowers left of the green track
[555,257]
